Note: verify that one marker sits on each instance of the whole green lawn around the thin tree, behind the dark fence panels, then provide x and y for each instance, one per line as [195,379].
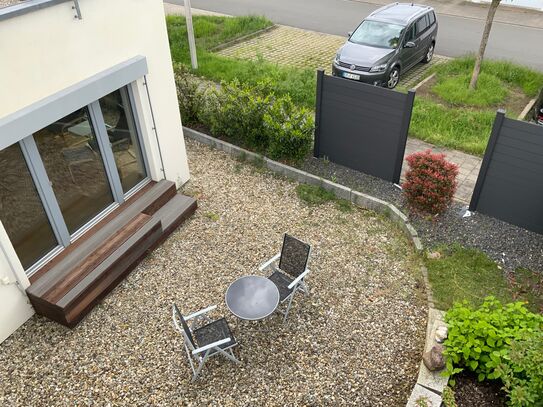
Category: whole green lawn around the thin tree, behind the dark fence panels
[464,120]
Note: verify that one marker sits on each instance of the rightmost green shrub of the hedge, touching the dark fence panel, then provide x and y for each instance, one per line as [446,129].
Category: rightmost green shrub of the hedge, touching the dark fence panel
[289,130]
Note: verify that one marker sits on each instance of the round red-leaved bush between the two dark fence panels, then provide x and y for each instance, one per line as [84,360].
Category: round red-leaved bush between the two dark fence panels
[430,182]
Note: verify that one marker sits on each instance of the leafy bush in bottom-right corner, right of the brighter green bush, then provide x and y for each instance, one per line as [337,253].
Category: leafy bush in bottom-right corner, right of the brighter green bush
[522,375]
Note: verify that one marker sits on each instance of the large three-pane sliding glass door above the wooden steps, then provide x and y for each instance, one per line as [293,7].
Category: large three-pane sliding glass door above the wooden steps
[62,179]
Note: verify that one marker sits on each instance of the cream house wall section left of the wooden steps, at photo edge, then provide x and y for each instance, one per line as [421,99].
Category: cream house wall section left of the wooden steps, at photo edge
[15,308]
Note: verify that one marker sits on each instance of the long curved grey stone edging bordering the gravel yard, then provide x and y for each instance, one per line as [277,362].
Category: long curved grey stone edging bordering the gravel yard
[358,198]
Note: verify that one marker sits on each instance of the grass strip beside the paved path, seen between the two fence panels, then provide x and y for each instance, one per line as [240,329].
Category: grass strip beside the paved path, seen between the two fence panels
[459,129]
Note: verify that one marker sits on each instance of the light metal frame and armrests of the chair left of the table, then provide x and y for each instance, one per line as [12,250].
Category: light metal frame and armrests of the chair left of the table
[201,354]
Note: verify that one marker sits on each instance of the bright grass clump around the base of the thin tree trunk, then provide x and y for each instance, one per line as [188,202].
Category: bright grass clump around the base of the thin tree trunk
[455,90]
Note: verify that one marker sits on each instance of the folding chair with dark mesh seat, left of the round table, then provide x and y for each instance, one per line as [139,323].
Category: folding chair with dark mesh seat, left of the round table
[208,340]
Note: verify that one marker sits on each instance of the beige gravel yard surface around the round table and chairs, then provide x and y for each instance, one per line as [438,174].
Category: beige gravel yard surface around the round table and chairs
[355,340]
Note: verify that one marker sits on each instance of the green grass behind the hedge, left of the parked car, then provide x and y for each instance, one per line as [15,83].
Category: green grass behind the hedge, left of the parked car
[211,31]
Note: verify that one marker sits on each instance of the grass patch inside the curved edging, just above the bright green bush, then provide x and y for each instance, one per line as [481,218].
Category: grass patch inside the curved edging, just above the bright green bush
[469,274]
